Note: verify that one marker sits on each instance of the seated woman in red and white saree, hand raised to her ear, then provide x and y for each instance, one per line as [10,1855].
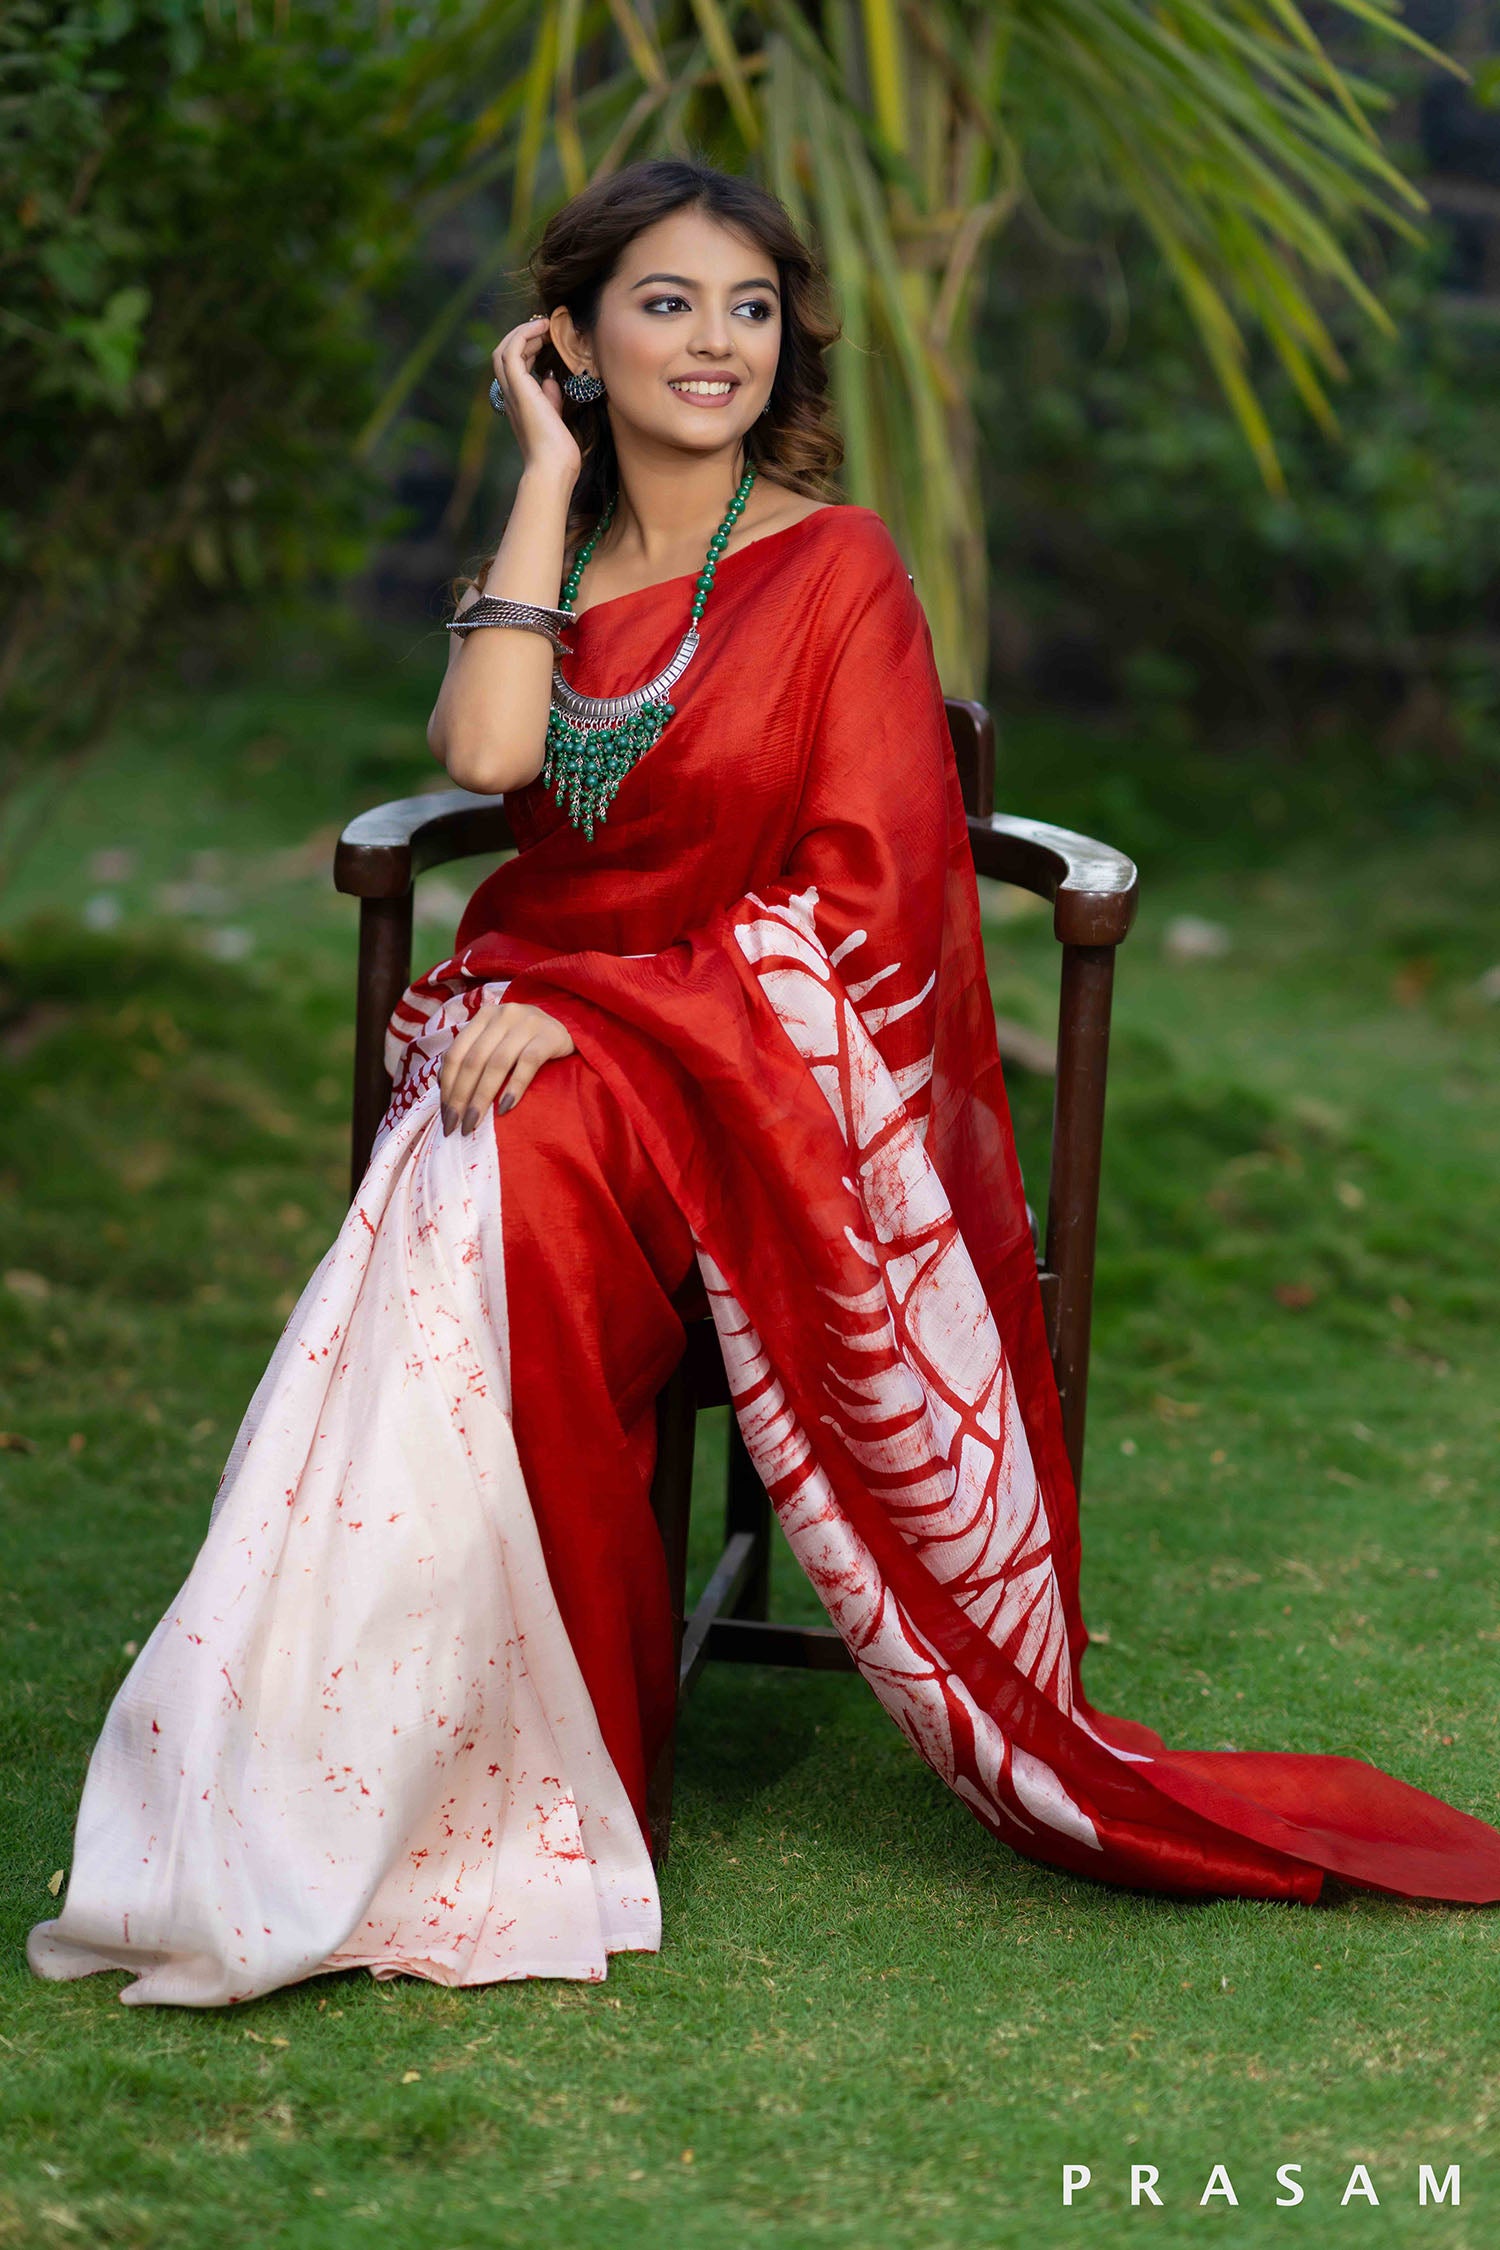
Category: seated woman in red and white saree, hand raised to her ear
[721,1029]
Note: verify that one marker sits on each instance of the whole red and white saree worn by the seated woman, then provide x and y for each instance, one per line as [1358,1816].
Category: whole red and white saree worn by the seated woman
[772,971]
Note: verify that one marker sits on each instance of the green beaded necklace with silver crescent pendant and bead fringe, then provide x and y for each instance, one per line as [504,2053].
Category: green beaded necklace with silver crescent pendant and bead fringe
[593,741]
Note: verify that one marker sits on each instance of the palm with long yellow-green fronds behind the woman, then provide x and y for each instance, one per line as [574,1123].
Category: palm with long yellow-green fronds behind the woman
[903,136]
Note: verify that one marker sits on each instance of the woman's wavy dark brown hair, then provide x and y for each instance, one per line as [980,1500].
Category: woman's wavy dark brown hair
[797,440]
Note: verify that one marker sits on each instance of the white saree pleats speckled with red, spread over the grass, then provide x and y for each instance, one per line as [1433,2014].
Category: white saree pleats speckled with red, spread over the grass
[361,1738]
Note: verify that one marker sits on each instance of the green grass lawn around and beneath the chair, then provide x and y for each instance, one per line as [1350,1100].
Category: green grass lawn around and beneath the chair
[869,2024]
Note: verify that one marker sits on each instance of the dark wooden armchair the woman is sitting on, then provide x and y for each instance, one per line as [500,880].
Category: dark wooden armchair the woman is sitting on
[1094,903]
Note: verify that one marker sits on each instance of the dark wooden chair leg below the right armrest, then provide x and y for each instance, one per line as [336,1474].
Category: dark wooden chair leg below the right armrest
[1074,1189]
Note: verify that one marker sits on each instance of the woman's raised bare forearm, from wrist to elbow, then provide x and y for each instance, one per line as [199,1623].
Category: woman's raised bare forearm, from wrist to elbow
[489,723]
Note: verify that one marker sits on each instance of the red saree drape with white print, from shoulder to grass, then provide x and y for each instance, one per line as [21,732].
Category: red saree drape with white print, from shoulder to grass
[770,957]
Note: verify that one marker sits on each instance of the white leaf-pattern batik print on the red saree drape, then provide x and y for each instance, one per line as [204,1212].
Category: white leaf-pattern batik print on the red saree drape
[919,1394]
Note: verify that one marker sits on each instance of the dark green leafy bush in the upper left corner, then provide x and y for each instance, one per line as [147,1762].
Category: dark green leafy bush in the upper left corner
[190,222]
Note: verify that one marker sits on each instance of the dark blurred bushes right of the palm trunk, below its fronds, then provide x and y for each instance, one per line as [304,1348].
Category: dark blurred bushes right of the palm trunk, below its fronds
[1139,555]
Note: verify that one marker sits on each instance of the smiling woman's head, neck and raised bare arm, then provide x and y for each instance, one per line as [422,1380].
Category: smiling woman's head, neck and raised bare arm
[692,339]
